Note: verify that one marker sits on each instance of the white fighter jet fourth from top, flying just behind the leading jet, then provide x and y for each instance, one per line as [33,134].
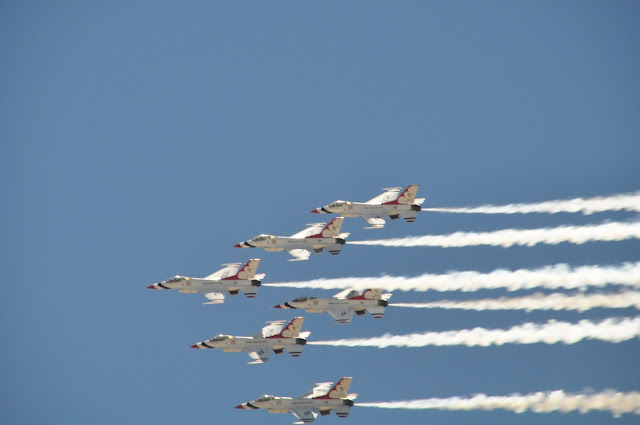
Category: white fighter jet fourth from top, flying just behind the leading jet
[342,306]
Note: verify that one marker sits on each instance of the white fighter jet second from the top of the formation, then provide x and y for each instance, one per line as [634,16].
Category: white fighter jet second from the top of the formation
[315,237]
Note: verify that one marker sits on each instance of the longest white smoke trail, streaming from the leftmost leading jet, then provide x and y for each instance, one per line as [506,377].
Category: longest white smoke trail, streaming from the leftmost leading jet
[550,277]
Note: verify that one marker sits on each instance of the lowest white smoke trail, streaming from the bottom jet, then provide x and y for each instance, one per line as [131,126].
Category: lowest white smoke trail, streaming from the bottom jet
[615,402]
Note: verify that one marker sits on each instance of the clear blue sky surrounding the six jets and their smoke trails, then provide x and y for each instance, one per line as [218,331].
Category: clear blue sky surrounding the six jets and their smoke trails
[143,139]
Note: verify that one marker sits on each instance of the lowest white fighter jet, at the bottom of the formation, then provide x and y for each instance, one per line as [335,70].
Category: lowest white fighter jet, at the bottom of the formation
[322,399]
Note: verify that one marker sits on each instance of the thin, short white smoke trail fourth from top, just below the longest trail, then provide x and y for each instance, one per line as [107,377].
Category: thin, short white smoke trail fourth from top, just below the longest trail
[580,302]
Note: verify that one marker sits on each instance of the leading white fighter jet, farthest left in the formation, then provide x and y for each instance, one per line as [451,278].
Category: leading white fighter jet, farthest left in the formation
[230,279]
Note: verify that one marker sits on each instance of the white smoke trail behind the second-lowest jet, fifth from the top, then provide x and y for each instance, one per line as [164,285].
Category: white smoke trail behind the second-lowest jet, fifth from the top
[612,330]
